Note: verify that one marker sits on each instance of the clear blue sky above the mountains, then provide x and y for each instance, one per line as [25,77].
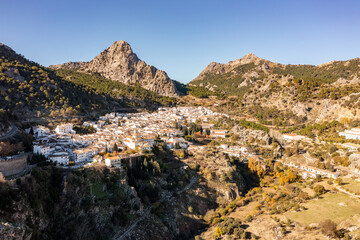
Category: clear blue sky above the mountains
[183,37]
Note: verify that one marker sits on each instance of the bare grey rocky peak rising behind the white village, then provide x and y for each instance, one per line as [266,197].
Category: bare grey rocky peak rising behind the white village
[120,63]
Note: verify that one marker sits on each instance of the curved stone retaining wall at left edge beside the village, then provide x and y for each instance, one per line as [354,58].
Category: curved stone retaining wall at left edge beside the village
[14,165]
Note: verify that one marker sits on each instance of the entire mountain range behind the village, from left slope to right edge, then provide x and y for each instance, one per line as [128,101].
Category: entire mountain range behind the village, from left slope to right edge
[117,78]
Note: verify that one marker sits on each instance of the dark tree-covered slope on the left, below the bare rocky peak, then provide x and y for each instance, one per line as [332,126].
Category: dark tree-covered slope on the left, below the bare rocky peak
[29,90]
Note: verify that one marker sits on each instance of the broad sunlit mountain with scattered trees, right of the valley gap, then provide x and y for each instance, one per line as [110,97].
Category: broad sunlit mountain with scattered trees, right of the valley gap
[329,91]
